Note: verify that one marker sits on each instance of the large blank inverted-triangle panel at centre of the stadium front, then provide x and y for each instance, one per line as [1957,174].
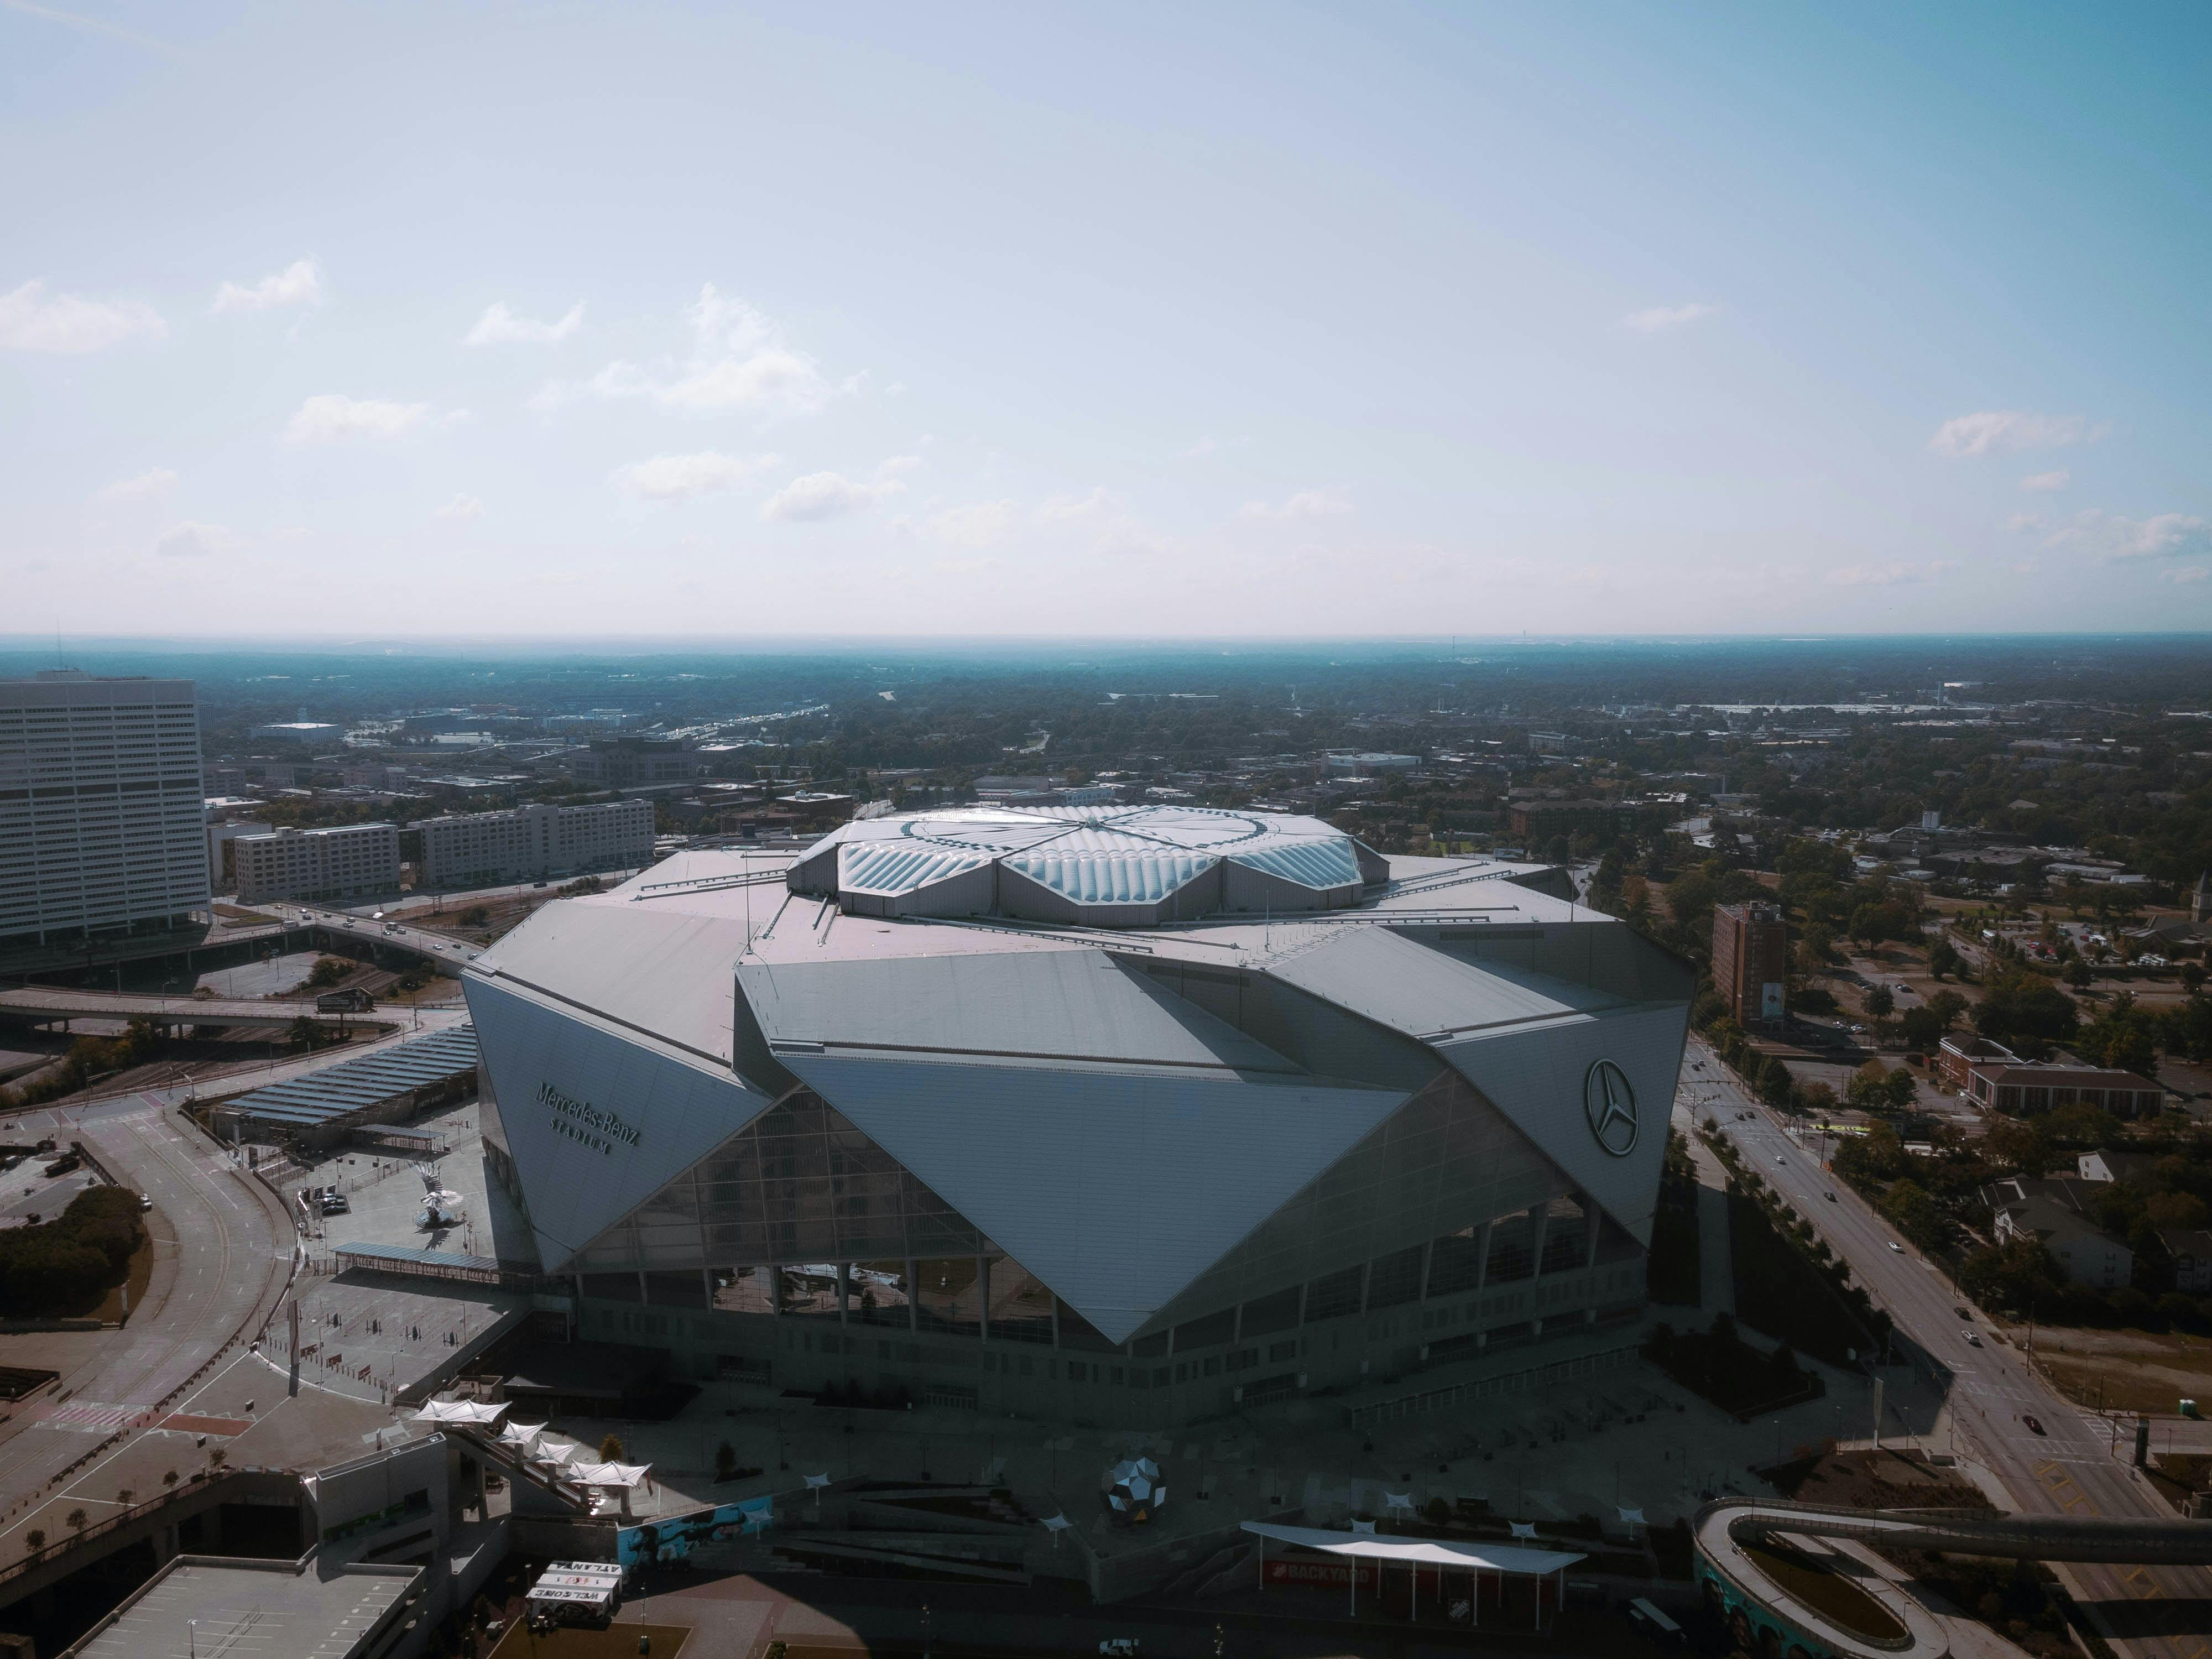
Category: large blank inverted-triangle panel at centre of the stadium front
[1114,1189]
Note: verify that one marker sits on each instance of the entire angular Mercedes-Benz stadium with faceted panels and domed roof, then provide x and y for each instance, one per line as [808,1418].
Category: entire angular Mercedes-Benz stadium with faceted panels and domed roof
[1103,1114]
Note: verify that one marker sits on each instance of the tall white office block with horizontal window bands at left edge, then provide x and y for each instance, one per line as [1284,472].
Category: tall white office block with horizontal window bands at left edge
[101,806]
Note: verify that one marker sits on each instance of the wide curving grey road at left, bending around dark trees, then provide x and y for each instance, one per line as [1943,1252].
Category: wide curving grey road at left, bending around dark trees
[231,1258]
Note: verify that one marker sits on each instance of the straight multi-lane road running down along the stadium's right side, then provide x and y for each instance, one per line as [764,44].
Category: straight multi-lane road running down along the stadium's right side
[2069,1470]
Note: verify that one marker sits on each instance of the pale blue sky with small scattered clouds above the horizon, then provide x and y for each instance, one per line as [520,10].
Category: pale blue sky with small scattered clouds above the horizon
[1156,322]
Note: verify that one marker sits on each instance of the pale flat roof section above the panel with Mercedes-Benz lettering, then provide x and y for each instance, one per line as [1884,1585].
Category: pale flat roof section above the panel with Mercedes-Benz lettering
[640,963]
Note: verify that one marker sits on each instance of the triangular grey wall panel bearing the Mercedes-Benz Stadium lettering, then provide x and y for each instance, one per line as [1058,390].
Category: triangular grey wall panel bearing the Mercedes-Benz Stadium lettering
[594,1120]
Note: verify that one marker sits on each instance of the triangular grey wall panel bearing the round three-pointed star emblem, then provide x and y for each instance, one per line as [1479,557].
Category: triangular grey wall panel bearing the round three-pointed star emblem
[1545,1081]
